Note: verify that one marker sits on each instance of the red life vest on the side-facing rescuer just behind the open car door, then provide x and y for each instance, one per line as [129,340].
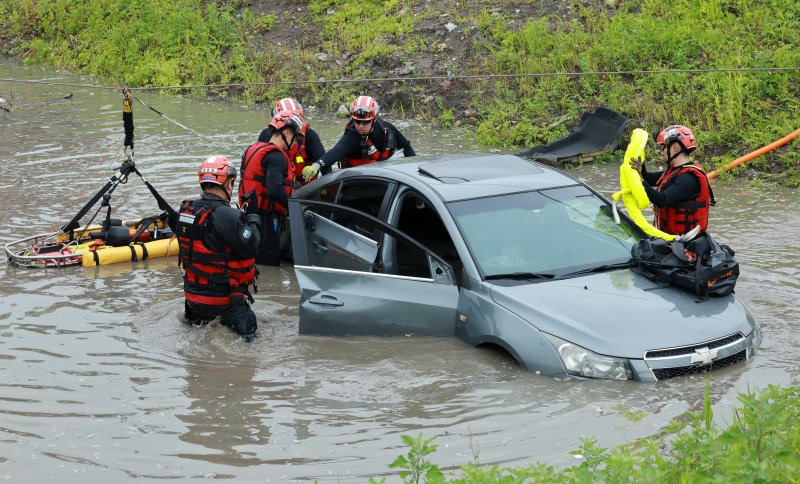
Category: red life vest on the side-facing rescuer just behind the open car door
[254,178]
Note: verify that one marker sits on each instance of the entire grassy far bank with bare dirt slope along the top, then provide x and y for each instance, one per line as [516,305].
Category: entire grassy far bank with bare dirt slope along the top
[190,42]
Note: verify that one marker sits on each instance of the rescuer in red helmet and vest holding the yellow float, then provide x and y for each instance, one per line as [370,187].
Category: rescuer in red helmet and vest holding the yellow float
[681,195]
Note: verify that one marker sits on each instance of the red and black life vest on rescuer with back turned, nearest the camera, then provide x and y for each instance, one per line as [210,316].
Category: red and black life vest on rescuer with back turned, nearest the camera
[210,277]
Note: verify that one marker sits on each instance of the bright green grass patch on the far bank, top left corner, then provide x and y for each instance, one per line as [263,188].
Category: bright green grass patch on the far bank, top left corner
[138,42]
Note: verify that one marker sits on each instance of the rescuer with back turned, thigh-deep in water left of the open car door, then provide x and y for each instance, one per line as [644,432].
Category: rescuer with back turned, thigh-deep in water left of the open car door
[218,244]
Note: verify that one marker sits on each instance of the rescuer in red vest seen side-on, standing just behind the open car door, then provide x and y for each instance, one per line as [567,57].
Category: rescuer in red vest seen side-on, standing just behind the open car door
[268,170]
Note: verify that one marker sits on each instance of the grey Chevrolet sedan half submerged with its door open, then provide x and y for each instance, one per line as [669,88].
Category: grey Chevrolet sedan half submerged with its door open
[499,250]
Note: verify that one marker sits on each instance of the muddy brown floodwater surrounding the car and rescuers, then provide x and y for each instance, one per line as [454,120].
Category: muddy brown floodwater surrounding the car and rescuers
[100,381]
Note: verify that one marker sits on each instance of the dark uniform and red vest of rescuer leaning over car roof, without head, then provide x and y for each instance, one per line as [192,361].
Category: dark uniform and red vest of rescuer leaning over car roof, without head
[352,149]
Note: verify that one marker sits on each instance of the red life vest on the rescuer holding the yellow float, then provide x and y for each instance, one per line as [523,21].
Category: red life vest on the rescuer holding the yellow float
[685,215]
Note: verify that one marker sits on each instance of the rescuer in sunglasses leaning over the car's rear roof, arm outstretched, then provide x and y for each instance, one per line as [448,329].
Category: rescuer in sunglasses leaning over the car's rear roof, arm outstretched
[366,139]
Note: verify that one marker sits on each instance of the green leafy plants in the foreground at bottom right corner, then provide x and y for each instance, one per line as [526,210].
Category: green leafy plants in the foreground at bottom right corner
[762,444]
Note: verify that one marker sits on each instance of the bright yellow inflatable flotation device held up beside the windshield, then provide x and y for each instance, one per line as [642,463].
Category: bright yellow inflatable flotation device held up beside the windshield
[631,189]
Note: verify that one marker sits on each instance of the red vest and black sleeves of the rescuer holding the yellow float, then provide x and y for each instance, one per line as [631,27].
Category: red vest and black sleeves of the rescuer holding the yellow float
[681,198]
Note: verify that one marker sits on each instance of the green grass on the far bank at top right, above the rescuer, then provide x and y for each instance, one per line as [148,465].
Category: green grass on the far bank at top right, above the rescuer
[730,112]
